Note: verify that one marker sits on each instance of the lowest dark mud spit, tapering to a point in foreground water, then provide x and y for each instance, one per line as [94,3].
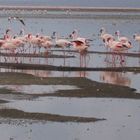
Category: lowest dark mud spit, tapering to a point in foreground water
[18,114]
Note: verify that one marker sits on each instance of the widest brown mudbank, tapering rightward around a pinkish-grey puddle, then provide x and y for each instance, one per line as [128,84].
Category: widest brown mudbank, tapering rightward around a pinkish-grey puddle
[87,88]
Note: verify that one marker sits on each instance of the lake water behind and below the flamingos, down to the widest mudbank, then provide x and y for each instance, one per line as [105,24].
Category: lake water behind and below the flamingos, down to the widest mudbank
[88,28]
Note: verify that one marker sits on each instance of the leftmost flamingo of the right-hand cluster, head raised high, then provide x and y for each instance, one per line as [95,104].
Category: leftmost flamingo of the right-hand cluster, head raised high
[105,36]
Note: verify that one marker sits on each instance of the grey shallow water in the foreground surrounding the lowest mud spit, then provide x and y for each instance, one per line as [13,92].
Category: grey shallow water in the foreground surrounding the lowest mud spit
[121,114]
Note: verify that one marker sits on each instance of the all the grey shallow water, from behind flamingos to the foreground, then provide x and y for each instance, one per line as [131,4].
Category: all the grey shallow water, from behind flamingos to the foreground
[122,114]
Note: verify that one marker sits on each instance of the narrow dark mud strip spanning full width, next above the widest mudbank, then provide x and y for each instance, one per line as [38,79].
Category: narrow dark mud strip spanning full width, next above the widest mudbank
[65,68]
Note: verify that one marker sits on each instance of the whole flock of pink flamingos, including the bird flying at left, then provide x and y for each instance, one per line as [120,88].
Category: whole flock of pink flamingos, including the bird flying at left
[18,43]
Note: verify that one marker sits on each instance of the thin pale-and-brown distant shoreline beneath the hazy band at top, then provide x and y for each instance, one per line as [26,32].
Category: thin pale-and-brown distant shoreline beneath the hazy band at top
[69,8]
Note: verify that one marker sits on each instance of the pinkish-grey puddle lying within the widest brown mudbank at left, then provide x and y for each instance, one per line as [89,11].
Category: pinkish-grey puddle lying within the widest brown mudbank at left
[38,89]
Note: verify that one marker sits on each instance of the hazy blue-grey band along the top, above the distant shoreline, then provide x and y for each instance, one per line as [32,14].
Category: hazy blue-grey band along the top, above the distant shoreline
[87,3]
